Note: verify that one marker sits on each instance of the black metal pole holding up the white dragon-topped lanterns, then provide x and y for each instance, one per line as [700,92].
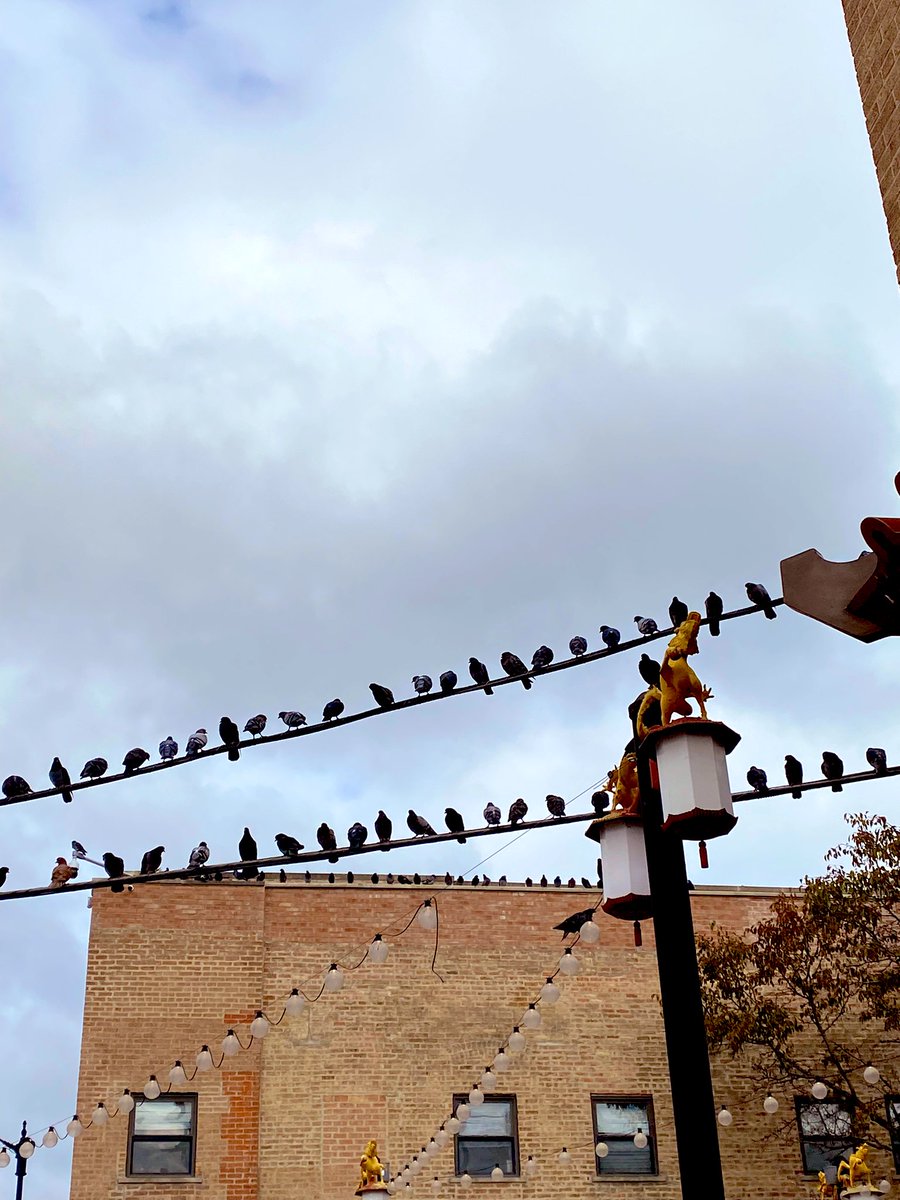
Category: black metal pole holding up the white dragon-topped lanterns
[691,1078]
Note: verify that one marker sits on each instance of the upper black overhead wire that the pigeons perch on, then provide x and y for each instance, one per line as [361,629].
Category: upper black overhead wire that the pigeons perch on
[410,703]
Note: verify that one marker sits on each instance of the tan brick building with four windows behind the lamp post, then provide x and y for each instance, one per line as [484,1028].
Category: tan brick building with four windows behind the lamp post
[173,967]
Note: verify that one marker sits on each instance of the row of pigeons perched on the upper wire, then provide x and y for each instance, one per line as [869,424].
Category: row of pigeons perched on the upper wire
[16,787]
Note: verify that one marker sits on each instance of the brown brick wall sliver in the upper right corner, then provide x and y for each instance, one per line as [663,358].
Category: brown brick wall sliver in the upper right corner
[874,28]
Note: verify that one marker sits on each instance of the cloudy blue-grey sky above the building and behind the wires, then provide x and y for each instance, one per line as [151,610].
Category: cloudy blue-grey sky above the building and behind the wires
[345,341]
